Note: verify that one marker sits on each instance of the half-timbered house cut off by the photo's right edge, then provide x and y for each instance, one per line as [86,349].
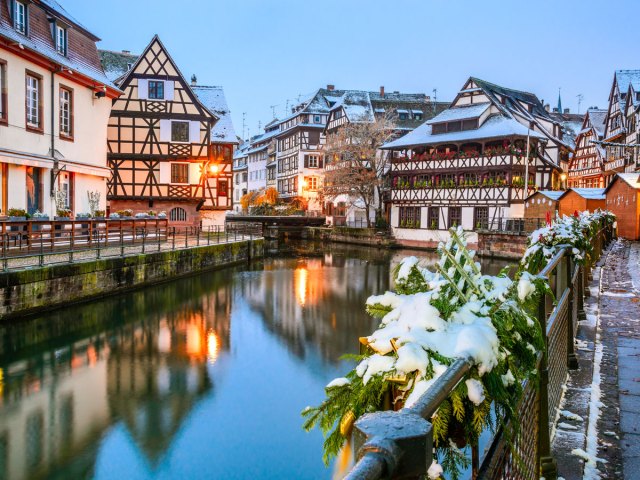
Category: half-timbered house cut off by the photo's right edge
[619,158]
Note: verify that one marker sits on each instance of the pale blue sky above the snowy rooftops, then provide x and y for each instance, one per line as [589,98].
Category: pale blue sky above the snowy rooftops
[269,54]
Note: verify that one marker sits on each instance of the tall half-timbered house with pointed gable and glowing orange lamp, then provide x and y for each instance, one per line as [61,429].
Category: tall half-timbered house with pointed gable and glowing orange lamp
[160,148]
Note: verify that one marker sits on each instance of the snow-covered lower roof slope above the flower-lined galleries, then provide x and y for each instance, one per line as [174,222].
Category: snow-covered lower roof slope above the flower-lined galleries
[497,126]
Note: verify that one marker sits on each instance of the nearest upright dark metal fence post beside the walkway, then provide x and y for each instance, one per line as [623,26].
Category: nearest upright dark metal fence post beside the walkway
[547,464]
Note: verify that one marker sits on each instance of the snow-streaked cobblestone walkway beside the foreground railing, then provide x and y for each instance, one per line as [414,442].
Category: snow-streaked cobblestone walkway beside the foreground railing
[610,346]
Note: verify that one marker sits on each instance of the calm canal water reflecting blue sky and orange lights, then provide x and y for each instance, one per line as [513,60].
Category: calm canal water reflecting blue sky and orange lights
[200,378]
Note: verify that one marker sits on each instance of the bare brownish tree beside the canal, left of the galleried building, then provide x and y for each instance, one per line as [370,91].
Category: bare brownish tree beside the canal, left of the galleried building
[354,164]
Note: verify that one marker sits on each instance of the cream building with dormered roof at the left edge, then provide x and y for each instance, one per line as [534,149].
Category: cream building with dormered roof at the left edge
[54,109]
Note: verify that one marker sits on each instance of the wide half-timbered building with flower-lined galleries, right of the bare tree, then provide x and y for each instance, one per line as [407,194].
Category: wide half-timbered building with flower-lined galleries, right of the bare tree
[469,164]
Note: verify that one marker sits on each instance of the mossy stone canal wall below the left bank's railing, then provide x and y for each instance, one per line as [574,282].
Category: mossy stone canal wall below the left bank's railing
[33,290]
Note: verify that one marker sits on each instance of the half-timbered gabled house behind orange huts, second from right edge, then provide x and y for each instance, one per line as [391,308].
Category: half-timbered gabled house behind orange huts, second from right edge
[586,167]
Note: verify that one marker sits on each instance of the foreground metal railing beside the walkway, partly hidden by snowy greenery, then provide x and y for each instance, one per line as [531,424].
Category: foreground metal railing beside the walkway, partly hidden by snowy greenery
[400,444]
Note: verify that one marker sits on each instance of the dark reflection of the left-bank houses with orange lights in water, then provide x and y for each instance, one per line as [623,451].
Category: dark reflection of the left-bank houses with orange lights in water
[63,384]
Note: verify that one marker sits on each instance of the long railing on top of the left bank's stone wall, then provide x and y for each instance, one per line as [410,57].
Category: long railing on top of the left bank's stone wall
[84,240]
